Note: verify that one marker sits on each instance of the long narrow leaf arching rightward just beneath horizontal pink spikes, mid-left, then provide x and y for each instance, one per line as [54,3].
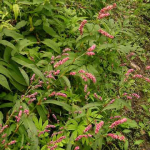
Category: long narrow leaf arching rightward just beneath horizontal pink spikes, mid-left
[62,104]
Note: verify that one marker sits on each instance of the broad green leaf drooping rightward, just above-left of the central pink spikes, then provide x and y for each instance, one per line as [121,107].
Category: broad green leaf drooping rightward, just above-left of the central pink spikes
[52,44]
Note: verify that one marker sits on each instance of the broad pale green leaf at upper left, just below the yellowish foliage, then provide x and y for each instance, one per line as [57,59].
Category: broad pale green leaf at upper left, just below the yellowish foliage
[12,34]
